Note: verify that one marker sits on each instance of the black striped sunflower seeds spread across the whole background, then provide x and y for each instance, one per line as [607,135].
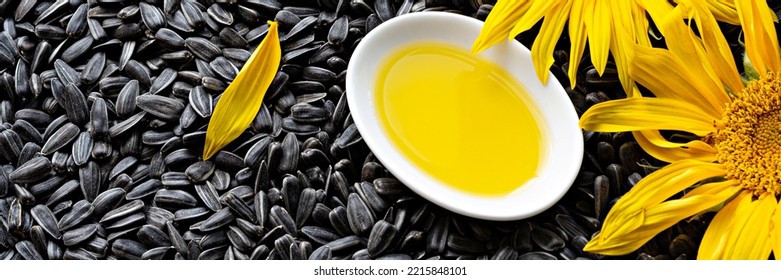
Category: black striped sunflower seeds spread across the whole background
[103,111]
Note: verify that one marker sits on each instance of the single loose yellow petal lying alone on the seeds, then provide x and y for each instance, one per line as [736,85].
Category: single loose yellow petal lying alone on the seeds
[241,101]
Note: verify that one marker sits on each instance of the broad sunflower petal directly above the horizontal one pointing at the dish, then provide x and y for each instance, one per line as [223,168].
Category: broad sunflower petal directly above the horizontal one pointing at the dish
[667,76]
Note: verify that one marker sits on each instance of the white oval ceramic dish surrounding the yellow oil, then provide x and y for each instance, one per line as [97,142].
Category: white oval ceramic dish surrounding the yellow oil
[564,154]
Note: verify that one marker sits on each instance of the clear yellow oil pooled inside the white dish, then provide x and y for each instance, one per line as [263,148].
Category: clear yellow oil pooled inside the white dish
[462,119]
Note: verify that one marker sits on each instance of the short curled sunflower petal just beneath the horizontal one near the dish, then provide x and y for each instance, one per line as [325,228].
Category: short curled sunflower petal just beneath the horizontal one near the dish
[655,145]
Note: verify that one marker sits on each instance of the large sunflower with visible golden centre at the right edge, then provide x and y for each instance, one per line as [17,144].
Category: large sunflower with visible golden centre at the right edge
[734,164]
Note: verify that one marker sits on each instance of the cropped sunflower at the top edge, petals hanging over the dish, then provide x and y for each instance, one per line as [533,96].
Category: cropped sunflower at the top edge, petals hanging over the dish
[610,26]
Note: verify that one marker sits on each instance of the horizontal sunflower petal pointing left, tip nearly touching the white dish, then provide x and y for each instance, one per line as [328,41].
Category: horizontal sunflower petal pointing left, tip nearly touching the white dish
[635,114]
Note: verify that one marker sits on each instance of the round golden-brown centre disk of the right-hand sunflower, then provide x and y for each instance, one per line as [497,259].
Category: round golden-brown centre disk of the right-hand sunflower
[749,144]
